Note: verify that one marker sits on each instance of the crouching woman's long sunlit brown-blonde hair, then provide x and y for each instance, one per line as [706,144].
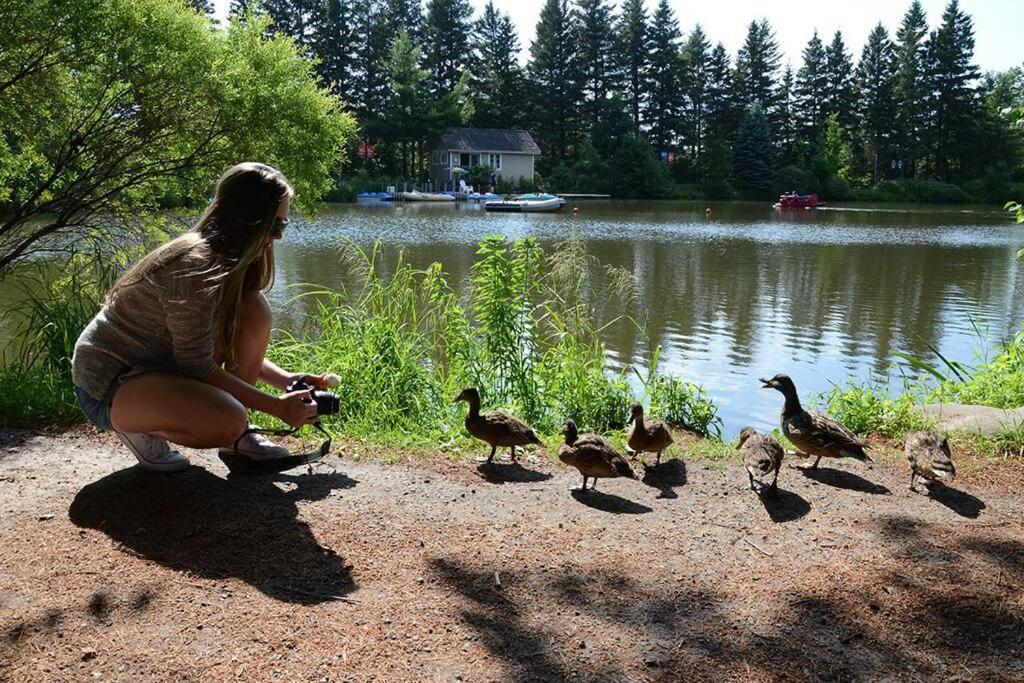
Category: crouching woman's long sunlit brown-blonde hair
[230,242]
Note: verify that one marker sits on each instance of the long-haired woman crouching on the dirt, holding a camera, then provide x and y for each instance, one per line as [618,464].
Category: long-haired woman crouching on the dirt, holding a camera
[176,353]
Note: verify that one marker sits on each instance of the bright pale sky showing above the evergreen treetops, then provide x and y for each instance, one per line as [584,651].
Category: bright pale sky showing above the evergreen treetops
[998,24]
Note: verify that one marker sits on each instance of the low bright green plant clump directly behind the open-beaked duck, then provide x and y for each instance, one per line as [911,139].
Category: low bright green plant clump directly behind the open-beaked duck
[868,408]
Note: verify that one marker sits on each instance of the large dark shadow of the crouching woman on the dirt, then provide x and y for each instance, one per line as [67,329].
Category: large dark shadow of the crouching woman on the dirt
[200,524]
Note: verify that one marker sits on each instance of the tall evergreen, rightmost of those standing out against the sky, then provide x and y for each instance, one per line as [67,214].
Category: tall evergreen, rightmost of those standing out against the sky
[952,80]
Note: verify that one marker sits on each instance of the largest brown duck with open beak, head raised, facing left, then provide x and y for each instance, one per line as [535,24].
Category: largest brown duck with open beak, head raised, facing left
[815,434]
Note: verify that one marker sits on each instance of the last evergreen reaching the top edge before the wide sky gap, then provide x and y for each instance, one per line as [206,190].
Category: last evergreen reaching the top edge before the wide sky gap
[663,107]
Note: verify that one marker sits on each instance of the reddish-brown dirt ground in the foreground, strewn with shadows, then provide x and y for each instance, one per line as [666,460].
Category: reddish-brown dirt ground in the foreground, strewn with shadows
[439,572]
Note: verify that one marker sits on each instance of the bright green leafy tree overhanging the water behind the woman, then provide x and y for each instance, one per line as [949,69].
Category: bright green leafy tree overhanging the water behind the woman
[130,104]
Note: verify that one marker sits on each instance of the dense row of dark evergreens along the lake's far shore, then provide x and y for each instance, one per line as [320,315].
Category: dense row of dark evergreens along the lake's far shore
[626,90]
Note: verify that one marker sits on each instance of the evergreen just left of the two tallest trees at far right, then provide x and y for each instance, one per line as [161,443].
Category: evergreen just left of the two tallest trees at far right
[876,75]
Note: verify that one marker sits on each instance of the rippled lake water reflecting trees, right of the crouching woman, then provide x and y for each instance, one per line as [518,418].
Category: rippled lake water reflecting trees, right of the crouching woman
[823,295]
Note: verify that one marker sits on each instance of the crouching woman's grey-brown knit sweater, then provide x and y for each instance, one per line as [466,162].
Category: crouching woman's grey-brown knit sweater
[165,322]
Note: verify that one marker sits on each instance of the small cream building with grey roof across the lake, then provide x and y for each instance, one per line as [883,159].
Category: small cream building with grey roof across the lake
[509,153]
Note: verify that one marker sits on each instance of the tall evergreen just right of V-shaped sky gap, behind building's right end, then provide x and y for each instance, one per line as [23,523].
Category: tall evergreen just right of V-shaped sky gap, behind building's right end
[554,80]
